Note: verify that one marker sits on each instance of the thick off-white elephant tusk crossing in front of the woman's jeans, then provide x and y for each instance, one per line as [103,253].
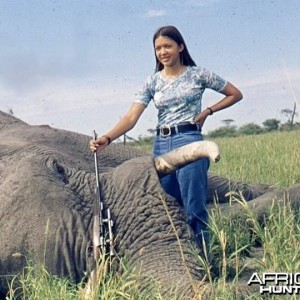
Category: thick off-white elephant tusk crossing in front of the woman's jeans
[184,155]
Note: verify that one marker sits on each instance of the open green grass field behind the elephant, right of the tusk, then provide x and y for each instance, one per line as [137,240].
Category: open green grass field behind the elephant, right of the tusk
[272,158]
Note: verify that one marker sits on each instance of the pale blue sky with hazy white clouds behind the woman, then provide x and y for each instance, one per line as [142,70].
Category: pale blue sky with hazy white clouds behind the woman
[78,65]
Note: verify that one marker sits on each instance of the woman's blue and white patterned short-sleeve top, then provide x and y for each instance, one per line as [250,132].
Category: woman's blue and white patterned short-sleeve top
[179,100]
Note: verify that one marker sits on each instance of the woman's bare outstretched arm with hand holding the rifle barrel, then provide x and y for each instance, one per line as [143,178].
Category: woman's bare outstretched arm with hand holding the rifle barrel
[126,123]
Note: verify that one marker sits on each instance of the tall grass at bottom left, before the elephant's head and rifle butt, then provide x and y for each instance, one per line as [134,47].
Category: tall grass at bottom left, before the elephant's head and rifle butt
[36,283]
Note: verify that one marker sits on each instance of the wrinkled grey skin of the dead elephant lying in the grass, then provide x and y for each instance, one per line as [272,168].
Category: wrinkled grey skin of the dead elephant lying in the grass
[47,186]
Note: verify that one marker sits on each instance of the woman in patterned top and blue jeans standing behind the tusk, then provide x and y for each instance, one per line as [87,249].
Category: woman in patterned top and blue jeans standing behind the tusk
[176,89]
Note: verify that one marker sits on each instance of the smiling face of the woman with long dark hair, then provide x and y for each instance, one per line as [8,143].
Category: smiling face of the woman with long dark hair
[167,51]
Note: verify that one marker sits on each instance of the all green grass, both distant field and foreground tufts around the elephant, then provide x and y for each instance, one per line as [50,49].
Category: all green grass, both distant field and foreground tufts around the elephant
[269,158]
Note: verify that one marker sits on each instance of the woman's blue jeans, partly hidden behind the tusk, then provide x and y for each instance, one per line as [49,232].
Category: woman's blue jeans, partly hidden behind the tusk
[189,183]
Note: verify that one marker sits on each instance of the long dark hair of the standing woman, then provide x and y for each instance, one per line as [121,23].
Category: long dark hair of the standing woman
[173,33]
